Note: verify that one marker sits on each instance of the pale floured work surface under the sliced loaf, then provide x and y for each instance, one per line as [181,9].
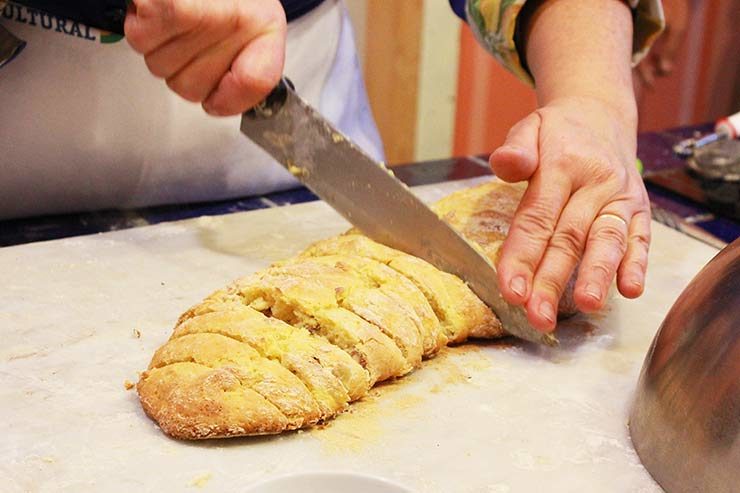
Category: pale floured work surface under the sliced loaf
[79,317]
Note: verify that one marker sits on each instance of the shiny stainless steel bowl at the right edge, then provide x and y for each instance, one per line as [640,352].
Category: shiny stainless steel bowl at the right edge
[685,420]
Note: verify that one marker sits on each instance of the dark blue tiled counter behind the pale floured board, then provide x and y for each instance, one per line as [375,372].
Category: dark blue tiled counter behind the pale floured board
[654,149]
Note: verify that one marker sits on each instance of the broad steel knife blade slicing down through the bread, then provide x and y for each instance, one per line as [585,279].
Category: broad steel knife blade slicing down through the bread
[367,194]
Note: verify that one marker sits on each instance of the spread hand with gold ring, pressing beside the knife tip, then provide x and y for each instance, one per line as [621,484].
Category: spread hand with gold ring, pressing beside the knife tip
[585,203]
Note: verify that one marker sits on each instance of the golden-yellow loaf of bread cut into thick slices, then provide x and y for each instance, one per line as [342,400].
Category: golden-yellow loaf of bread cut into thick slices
[295,344]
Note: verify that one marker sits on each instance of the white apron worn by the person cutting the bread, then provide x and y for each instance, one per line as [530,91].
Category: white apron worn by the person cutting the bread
[84,126]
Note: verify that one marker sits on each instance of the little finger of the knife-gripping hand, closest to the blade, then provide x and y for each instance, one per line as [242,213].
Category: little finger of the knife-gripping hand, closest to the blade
[254,73]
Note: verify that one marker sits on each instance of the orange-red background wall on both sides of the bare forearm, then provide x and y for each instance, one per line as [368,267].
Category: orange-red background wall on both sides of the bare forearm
[704,85]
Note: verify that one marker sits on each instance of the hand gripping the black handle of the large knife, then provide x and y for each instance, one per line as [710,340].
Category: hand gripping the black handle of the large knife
[225,54]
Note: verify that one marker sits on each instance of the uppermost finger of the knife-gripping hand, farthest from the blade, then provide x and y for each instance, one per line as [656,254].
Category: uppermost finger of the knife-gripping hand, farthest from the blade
[152,23]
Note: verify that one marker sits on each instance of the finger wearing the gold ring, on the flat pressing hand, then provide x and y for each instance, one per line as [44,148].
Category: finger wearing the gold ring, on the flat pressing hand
[605,249]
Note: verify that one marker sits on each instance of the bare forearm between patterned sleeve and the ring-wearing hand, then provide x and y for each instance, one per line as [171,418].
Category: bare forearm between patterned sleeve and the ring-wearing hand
[582,49]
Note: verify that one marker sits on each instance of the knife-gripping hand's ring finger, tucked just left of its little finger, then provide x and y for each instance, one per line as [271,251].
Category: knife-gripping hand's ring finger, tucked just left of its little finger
[198,78]
